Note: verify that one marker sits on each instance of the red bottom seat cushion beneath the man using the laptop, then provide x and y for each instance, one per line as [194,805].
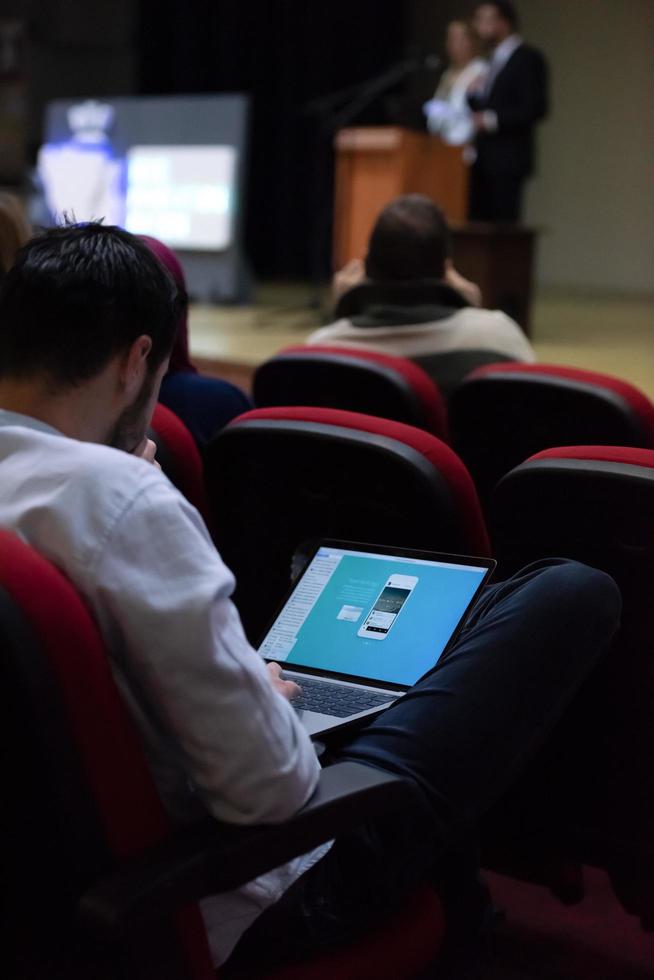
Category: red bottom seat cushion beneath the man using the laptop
[402,947]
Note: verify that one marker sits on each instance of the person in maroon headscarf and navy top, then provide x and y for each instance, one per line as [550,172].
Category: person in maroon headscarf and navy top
[203,403]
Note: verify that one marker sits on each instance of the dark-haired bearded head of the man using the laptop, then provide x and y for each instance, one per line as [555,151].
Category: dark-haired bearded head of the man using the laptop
[92,313]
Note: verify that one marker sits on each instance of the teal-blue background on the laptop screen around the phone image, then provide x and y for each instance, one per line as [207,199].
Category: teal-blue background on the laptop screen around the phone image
[418,636]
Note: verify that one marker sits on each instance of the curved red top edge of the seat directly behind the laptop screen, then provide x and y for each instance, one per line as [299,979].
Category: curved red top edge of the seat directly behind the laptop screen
[439,455]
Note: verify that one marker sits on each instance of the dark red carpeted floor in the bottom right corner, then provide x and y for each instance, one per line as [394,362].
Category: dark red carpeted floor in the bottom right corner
[541,939]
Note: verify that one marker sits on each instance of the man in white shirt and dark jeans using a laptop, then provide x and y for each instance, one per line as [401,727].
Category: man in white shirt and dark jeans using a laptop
[88,318]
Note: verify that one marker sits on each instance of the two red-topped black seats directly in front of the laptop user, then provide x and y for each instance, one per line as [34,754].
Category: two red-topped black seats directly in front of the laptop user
[281,476]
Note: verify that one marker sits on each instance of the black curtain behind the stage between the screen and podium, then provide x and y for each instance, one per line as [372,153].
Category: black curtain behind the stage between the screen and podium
[283,54]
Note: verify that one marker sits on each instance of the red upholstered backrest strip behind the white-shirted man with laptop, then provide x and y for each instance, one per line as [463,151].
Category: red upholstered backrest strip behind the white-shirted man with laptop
[110,750]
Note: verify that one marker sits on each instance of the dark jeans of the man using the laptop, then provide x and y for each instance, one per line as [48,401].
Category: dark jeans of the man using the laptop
[461,735]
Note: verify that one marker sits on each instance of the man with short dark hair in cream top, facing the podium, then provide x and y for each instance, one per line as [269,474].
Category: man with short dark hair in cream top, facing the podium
[409,247]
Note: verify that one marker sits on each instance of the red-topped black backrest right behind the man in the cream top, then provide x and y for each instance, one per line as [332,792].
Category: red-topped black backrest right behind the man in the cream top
[354,380]
